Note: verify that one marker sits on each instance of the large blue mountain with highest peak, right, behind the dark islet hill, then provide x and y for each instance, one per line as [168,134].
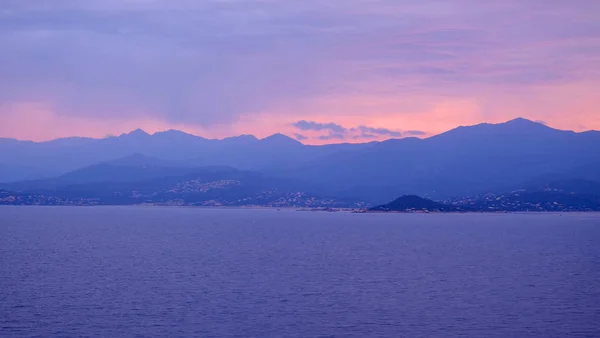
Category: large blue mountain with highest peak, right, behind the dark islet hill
[463,161]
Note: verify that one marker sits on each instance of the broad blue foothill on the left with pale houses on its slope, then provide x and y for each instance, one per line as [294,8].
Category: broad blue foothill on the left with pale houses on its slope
[117,184]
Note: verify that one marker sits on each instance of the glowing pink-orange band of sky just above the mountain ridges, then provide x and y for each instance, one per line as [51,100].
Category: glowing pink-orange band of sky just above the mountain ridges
[39,122]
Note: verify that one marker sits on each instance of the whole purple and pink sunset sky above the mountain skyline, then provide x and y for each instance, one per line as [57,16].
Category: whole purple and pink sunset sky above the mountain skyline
[321,71]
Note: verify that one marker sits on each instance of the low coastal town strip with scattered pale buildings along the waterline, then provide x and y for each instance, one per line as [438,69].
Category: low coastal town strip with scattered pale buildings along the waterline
[187,195]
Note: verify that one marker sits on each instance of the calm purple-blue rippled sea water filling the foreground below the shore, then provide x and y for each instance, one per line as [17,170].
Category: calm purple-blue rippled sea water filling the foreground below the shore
[175,272]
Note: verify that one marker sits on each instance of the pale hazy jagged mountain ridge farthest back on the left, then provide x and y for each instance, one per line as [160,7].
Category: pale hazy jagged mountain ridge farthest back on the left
[63,155]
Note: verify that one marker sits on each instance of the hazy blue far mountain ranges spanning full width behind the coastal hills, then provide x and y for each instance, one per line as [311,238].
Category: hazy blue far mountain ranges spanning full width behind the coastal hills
[460,162]
